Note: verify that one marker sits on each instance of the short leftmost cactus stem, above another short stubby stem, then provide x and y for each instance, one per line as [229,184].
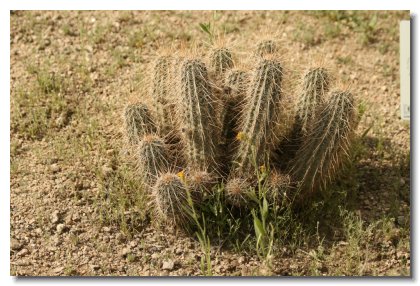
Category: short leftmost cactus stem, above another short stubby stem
[138,122]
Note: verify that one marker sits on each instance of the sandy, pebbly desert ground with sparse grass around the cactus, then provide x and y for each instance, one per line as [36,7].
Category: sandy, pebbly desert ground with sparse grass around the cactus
[77,206]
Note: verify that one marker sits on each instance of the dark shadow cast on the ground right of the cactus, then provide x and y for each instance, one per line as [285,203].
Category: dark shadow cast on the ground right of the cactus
[375,185]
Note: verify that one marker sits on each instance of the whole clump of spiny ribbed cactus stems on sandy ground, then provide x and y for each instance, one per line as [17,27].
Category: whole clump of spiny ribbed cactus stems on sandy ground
[215,122]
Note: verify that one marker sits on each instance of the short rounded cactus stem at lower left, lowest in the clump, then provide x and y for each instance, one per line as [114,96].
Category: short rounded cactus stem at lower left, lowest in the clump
[170,197]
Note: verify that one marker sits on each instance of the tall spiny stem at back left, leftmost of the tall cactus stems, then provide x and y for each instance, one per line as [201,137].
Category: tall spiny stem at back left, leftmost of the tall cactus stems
[161,93]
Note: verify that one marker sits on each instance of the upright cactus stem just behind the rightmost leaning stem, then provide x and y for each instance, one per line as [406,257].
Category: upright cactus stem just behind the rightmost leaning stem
[315,86]
